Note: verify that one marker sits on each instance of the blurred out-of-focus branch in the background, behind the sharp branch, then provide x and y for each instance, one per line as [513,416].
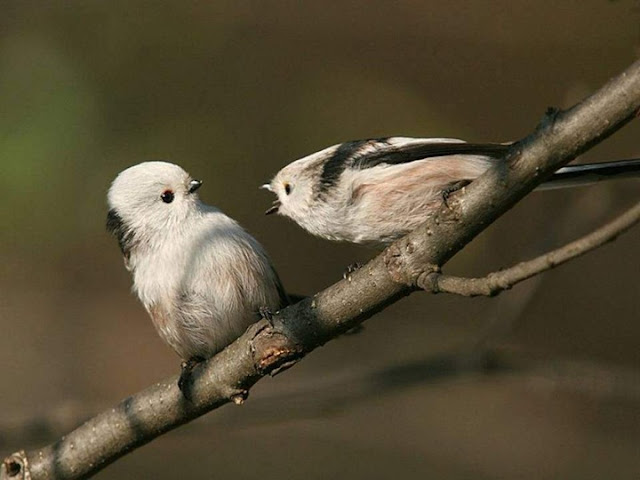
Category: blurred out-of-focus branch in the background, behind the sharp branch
[345,390]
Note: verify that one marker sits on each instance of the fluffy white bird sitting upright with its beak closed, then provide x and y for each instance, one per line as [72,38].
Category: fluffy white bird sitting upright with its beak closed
[202,278]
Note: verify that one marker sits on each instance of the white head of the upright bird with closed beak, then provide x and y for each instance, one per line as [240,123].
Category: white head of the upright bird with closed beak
[147,199]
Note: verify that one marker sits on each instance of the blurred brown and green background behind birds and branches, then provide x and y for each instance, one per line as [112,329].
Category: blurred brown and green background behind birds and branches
[233,91]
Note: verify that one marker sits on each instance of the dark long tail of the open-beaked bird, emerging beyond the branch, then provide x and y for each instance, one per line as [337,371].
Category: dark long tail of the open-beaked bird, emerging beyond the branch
[578,175]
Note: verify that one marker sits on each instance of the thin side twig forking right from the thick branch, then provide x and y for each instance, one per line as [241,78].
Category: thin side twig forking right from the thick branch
[496,282]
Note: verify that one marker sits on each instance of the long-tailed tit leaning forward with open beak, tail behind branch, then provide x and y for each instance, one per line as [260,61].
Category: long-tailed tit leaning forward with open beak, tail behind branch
[377,190]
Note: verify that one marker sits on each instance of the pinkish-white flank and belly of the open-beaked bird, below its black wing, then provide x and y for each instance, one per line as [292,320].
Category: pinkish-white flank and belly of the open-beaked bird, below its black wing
[384,202]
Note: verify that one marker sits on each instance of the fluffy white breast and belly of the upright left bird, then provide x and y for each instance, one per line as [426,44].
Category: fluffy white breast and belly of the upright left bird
[204,284]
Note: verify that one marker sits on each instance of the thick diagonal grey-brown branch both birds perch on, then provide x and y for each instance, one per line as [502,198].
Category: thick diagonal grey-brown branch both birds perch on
[267,348]
